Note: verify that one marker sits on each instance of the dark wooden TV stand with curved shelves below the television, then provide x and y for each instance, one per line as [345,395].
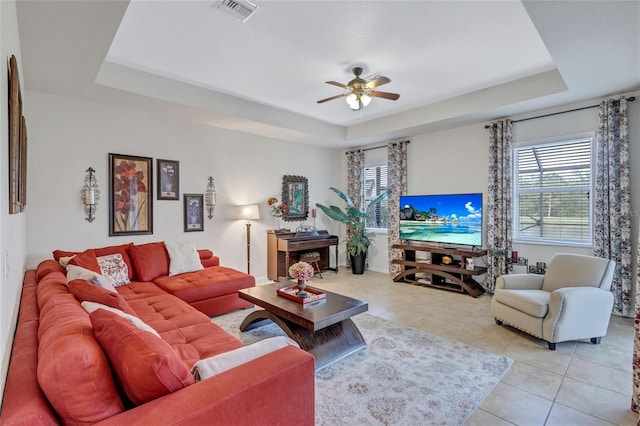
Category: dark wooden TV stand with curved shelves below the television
[448,276]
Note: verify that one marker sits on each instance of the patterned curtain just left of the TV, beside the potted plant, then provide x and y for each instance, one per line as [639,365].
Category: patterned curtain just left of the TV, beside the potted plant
[397,185]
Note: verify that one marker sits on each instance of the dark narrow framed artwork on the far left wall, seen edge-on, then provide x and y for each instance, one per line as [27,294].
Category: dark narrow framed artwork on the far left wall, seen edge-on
[15,149]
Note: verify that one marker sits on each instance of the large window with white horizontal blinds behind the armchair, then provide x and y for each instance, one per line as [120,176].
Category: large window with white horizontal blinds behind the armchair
[552,192]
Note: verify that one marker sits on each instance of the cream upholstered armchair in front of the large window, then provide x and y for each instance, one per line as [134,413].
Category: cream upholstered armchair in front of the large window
[571,301]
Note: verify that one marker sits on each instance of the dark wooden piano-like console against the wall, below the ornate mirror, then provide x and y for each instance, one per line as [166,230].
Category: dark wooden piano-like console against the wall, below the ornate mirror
[284,249]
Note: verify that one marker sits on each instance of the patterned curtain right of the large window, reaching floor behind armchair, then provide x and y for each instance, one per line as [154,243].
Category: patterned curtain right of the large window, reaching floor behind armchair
[612,222]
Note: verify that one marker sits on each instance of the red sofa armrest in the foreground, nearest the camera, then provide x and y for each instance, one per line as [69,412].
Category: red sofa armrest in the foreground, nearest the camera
[275,389]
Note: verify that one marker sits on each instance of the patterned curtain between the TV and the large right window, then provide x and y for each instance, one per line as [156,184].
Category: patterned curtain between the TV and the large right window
[499,220]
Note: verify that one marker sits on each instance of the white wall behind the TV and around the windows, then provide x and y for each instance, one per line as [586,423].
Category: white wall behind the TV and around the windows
[455,161]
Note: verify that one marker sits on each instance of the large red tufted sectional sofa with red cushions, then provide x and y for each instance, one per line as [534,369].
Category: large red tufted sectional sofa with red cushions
[72,367]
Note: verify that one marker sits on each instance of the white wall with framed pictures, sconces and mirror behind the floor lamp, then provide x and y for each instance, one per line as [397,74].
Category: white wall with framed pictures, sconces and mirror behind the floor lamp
[66,136]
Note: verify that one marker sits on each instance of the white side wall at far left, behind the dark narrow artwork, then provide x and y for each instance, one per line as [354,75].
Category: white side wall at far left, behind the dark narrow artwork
[12,227]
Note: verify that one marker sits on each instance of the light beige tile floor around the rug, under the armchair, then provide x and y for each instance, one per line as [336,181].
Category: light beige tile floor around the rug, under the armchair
[578,384]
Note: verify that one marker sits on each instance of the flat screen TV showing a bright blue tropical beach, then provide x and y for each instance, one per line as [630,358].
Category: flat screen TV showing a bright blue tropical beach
[449,219]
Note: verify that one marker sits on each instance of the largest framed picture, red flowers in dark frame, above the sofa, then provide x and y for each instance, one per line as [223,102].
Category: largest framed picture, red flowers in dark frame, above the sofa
[130,195]
